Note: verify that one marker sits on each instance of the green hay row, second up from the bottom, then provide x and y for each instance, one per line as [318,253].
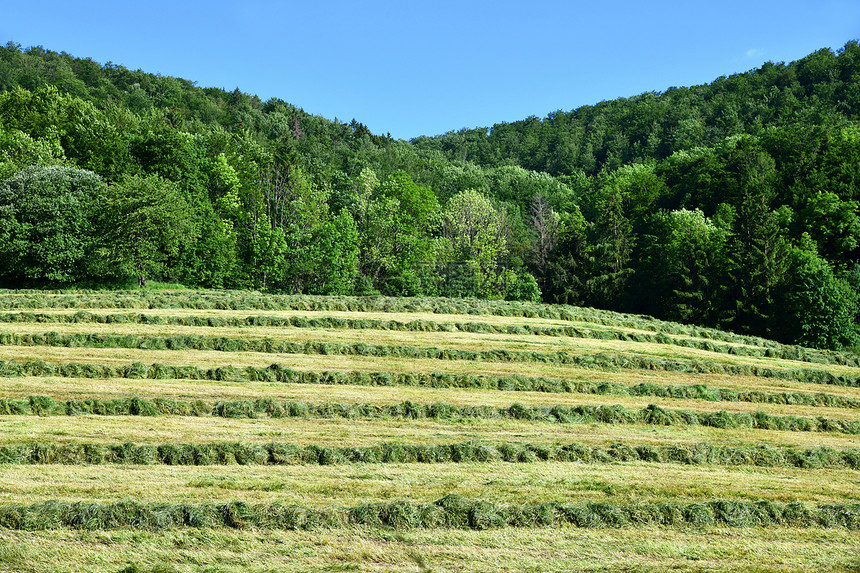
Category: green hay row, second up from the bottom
[279,454]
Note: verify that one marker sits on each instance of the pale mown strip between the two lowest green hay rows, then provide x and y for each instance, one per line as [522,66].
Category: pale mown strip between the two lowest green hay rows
[352,485]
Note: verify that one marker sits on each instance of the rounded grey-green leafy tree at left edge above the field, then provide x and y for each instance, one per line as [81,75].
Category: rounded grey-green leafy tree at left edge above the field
[45,225]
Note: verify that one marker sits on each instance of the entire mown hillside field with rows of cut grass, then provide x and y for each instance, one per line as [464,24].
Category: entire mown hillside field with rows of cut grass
[227,431]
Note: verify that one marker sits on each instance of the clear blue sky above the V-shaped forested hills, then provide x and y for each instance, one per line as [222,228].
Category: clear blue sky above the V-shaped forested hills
[425,68]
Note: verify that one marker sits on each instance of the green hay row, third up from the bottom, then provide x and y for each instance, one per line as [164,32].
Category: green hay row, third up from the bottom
[608,414]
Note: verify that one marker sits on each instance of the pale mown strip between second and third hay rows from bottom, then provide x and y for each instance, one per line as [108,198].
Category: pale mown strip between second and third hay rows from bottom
[343,432]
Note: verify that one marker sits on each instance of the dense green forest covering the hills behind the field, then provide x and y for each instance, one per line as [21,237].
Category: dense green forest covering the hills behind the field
[731,205]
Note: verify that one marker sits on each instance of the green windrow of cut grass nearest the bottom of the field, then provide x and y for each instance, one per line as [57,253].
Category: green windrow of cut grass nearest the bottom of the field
[451,511]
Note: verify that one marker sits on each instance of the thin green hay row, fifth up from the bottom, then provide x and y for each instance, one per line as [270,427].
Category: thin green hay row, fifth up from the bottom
[598,361]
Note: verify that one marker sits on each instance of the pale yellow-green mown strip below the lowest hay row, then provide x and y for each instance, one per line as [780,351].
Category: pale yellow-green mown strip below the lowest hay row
[366,549]
